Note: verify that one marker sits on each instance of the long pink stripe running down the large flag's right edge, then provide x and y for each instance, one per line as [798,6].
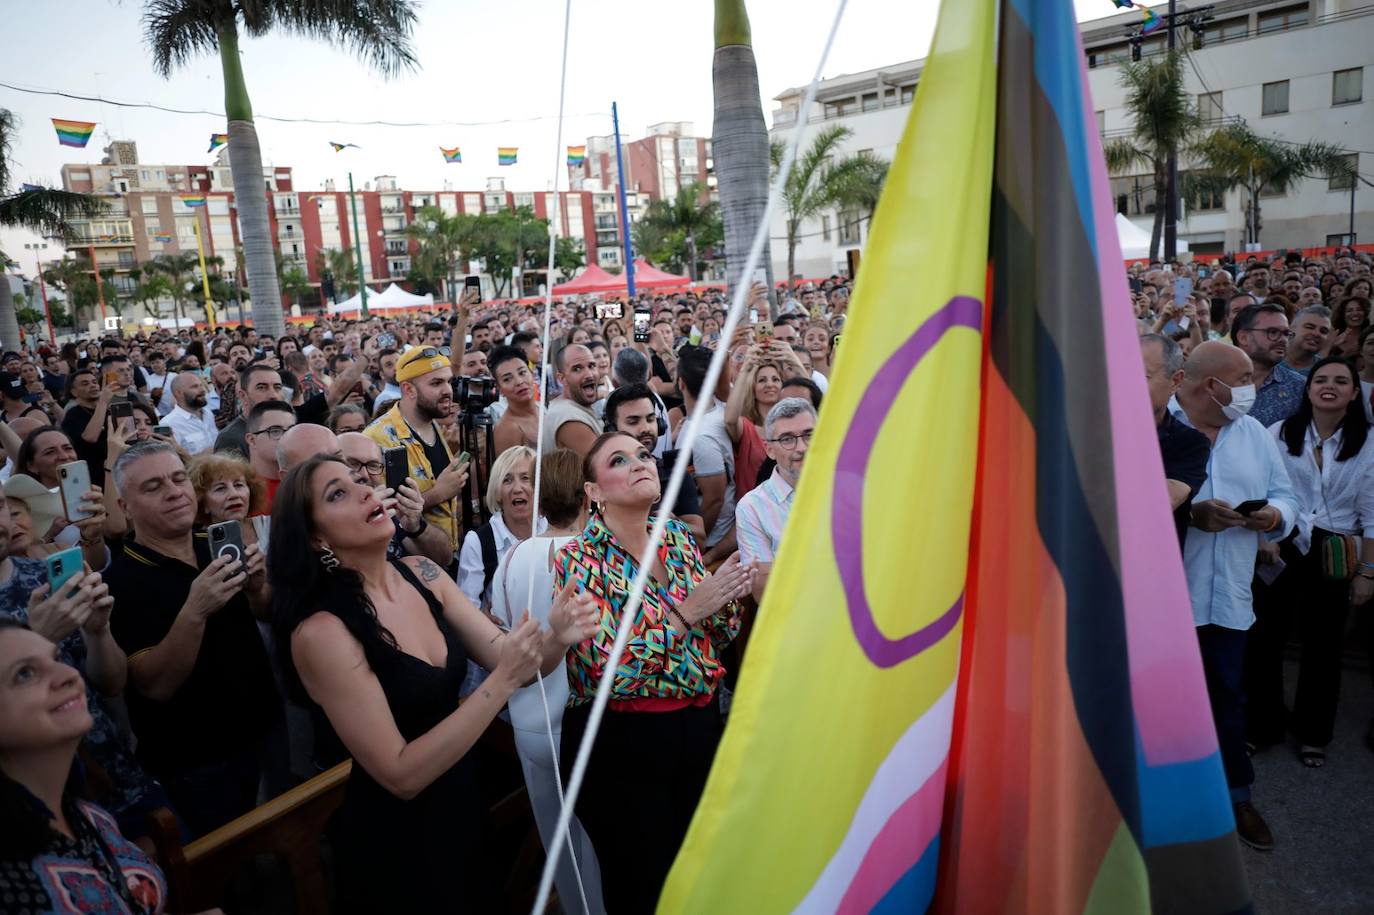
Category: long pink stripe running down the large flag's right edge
[1171,708]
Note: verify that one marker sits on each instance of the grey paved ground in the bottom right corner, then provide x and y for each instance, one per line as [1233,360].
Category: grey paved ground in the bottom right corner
[1322,820]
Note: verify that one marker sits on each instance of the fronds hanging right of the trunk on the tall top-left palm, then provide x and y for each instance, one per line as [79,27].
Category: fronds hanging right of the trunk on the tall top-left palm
[379,31]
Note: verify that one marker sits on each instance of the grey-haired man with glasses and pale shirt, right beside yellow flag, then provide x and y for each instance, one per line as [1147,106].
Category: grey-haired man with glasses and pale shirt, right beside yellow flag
[762,513]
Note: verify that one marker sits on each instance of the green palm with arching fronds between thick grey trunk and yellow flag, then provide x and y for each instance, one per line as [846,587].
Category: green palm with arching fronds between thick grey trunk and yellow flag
[818,182]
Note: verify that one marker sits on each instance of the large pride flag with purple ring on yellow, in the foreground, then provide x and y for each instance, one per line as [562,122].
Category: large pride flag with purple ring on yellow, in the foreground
[1023,723]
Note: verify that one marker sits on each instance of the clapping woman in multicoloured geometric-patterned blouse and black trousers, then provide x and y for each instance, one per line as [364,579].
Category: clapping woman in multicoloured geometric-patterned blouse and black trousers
[656,745]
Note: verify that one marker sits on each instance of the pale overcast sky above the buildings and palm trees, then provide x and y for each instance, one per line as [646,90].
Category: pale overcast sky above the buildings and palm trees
[479,63]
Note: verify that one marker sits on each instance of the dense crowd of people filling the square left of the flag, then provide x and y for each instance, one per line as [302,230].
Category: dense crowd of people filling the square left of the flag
[328,547]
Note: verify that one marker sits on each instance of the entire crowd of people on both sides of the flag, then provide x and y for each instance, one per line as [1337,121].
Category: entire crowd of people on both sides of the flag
[328,546]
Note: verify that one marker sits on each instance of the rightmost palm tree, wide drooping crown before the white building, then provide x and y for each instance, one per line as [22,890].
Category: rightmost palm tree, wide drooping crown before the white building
[1239,157]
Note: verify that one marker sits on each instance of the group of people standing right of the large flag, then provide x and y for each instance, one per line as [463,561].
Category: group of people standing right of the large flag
[1261,376]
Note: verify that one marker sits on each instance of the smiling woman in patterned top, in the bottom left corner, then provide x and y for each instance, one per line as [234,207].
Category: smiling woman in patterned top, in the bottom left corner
[57,854]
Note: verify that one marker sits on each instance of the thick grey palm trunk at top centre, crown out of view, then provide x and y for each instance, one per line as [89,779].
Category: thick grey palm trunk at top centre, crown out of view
[740,139]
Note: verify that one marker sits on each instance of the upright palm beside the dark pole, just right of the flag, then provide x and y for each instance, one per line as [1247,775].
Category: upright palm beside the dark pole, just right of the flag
[1166,123]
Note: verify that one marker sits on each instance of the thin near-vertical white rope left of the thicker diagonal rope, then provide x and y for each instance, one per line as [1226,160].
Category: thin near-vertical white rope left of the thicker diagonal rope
[564,832]
